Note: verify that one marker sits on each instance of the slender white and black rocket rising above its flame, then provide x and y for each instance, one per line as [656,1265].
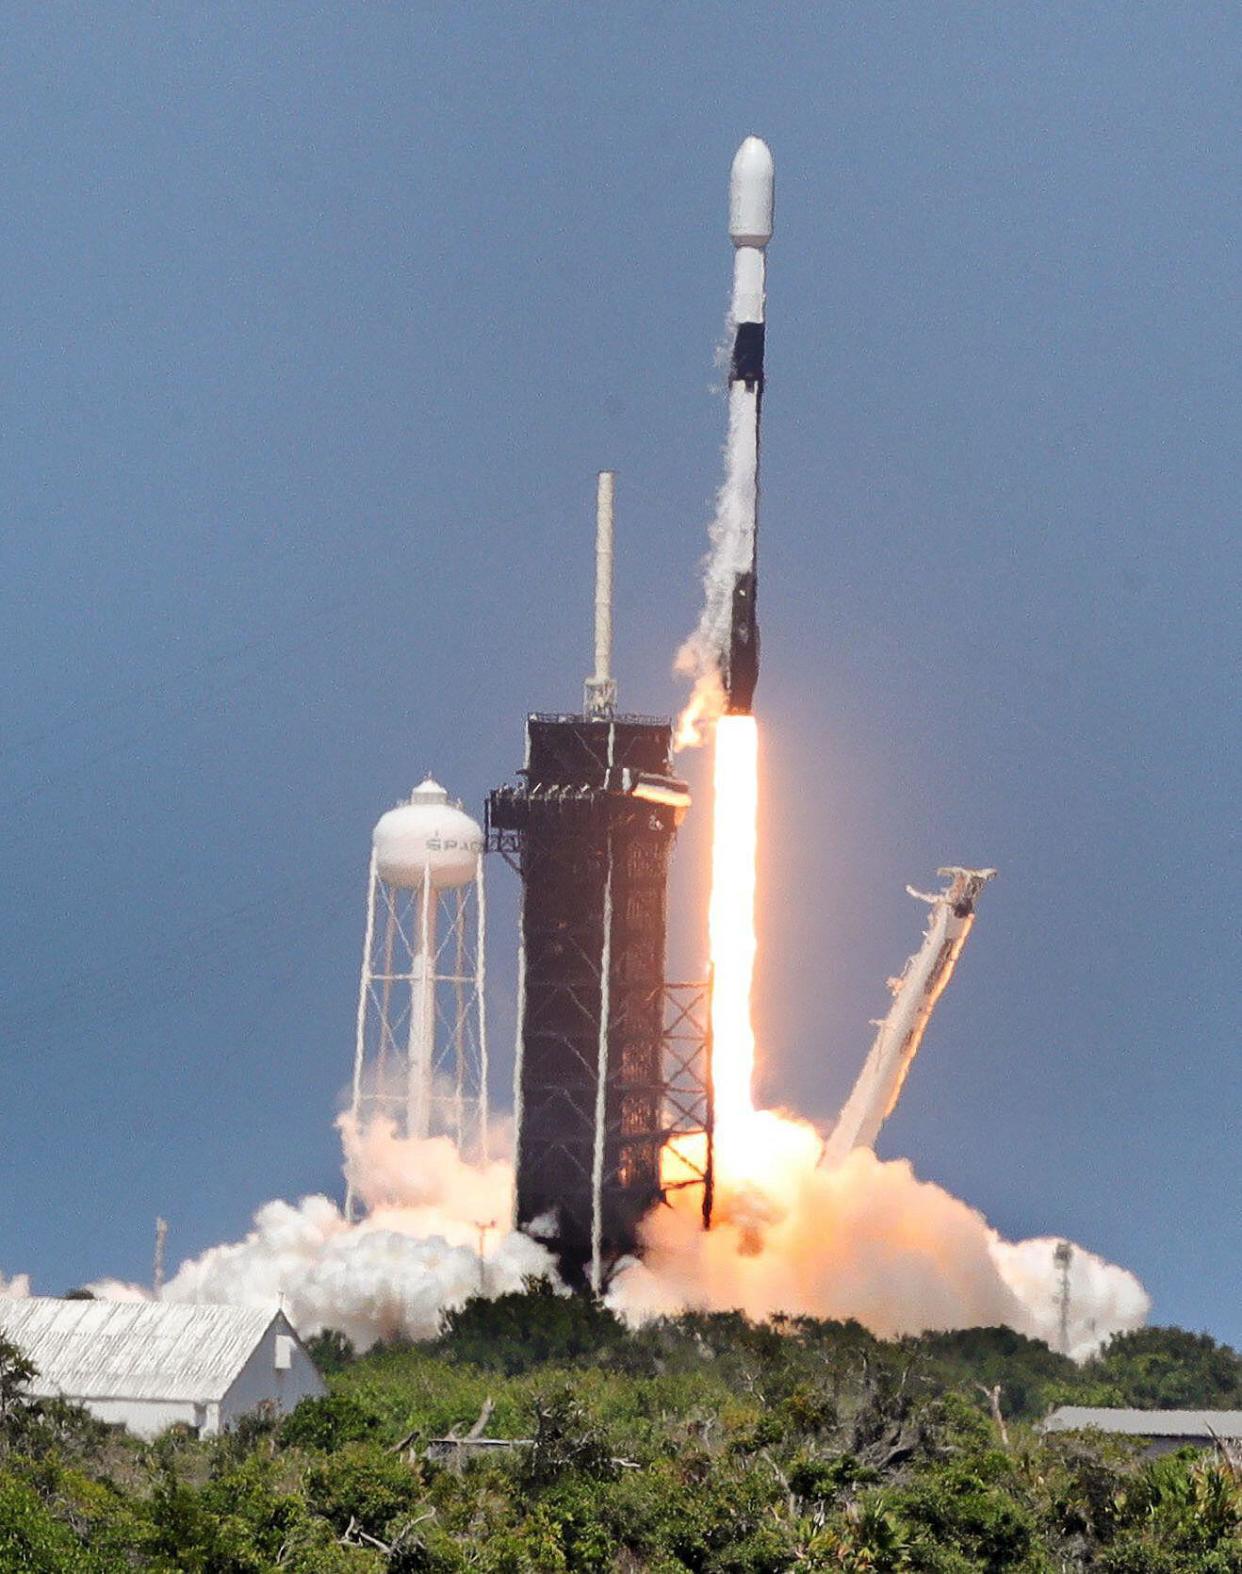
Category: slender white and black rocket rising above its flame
[752,194]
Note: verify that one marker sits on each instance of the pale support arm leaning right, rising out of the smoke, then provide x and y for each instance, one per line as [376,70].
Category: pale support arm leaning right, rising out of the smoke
[915,994]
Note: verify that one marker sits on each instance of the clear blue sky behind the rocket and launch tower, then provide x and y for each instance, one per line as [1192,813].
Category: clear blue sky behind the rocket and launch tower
[319,322]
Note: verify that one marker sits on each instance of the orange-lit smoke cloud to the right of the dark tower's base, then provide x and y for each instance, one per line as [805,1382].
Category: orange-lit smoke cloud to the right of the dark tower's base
[867,1240]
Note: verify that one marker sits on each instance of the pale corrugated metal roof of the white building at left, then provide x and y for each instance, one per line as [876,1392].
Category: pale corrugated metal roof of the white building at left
[116,1350]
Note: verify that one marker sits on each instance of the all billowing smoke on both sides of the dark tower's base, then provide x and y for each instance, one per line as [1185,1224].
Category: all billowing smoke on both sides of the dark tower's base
[867,1240]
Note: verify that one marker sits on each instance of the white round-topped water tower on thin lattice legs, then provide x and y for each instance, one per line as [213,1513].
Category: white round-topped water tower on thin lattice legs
[421,1055]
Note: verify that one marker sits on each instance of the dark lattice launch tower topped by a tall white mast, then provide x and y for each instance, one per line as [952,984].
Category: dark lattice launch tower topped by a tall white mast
[612,1062]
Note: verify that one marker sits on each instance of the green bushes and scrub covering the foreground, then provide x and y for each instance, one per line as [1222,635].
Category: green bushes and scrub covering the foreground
[701,1443]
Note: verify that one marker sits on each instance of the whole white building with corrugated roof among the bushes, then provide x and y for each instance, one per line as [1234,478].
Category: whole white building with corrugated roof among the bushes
[152,1365]
